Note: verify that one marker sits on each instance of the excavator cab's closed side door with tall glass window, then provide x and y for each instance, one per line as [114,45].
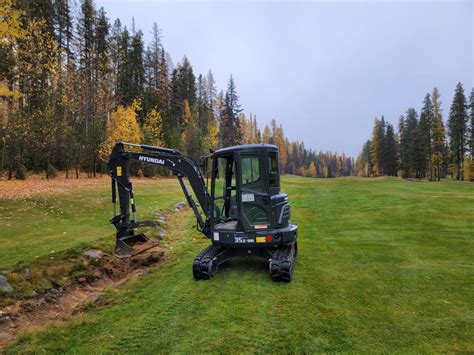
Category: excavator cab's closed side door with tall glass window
[254,192]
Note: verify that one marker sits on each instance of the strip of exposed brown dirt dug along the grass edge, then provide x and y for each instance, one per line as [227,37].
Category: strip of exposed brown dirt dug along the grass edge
[59,304]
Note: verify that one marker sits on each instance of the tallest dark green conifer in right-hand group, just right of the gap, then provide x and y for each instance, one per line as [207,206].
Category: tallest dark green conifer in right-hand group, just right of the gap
[458,131]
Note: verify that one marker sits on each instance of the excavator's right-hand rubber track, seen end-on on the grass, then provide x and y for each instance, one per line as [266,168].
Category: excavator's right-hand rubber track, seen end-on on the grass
[283,263]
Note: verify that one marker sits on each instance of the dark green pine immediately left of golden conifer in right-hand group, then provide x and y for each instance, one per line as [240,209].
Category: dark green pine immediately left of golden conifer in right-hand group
[426,122]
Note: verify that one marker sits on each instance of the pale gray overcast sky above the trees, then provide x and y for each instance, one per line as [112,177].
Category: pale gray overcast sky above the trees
[322,69]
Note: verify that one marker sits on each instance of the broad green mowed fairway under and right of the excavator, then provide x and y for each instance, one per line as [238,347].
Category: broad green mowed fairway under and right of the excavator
[384,265]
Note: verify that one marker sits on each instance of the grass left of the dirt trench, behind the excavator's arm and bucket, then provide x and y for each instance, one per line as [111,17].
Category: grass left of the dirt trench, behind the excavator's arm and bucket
[42,225]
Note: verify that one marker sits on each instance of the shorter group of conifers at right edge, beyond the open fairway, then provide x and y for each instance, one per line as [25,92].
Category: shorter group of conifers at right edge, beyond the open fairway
[424,147]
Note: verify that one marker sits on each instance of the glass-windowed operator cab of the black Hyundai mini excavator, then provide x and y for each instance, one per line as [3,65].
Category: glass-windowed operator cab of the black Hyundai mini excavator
[245,189]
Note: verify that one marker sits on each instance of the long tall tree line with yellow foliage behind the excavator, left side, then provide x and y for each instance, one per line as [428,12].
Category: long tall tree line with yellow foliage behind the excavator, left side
[72,84]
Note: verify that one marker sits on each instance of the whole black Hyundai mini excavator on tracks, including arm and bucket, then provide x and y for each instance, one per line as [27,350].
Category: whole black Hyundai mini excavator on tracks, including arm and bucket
[244,213]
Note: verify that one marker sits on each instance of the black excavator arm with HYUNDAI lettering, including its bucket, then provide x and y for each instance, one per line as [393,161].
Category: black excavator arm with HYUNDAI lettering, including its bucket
[119,170]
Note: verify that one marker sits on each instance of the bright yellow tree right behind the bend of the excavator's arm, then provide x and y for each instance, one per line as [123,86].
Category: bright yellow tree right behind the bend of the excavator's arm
[123,126]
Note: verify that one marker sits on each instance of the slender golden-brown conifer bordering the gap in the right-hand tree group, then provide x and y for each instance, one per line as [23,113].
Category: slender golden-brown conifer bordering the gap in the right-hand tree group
[438,137]
